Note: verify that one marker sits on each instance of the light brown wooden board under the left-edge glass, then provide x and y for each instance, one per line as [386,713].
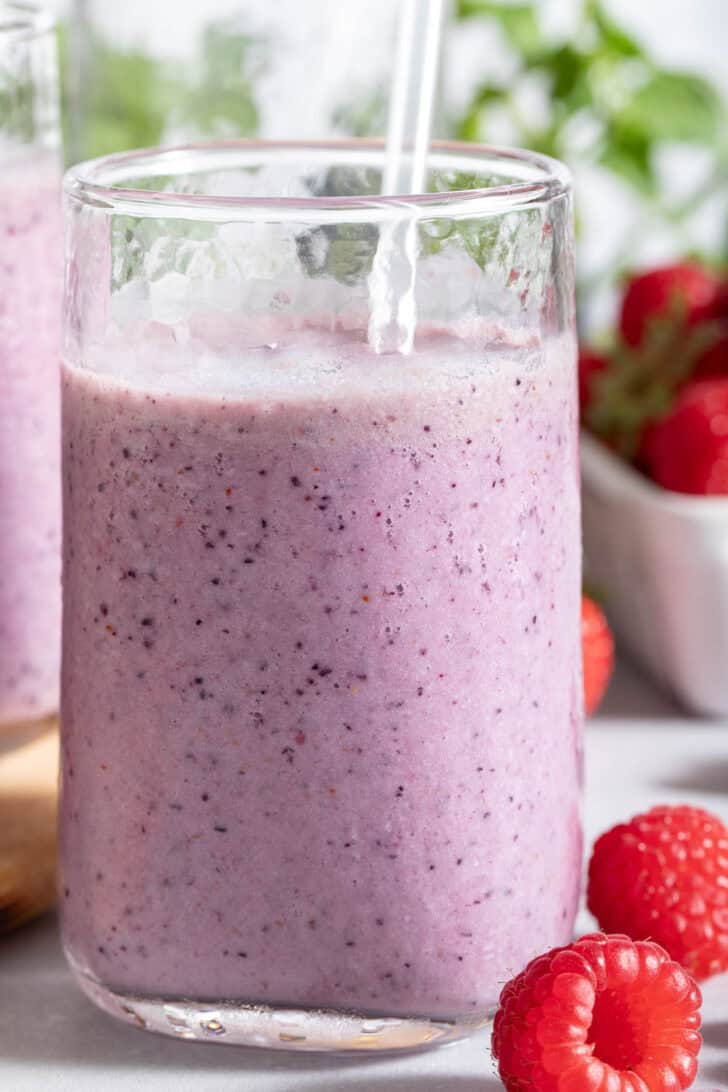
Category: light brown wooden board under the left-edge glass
[29,798]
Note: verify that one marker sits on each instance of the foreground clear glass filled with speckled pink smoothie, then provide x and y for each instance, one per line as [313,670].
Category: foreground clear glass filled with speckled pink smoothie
[321,686]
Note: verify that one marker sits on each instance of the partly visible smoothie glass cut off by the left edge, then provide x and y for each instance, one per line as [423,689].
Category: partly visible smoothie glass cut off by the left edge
[30,341]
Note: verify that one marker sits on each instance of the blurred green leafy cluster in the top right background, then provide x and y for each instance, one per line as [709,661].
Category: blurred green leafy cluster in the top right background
[601,80]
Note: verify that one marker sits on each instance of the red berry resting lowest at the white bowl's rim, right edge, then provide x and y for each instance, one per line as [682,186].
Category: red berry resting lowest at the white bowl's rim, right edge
[688,449]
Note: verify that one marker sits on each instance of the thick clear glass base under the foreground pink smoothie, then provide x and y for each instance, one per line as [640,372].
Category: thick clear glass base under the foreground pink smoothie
[279,1029]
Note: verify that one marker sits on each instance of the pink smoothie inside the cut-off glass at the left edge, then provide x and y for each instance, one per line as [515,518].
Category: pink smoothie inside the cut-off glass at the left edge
[31,251]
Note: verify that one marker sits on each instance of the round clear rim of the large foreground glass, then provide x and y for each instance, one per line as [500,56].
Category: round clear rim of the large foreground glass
[96,183]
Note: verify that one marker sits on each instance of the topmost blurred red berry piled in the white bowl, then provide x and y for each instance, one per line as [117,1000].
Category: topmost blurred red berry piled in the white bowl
[686,292]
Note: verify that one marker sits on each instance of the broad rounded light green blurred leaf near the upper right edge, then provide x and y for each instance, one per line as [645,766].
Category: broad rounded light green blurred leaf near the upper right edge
[675,106]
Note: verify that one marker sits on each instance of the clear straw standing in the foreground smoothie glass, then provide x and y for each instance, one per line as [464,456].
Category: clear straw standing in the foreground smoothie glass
[393,315]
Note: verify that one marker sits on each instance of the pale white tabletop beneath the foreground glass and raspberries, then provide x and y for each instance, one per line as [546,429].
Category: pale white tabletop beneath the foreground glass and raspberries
[641,751]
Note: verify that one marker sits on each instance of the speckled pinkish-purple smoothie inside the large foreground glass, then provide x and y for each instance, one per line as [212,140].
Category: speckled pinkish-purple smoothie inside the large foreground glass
[321,672]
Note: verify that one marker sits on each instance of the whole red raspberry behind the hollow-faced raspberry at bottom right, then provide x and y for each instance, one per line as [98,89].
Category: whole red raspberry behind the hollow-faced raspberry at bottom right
[665,875]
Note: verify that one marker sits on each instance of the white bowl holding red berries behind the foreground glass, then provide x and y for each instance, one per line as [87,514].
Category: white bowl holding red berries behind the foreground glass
[661,562]
